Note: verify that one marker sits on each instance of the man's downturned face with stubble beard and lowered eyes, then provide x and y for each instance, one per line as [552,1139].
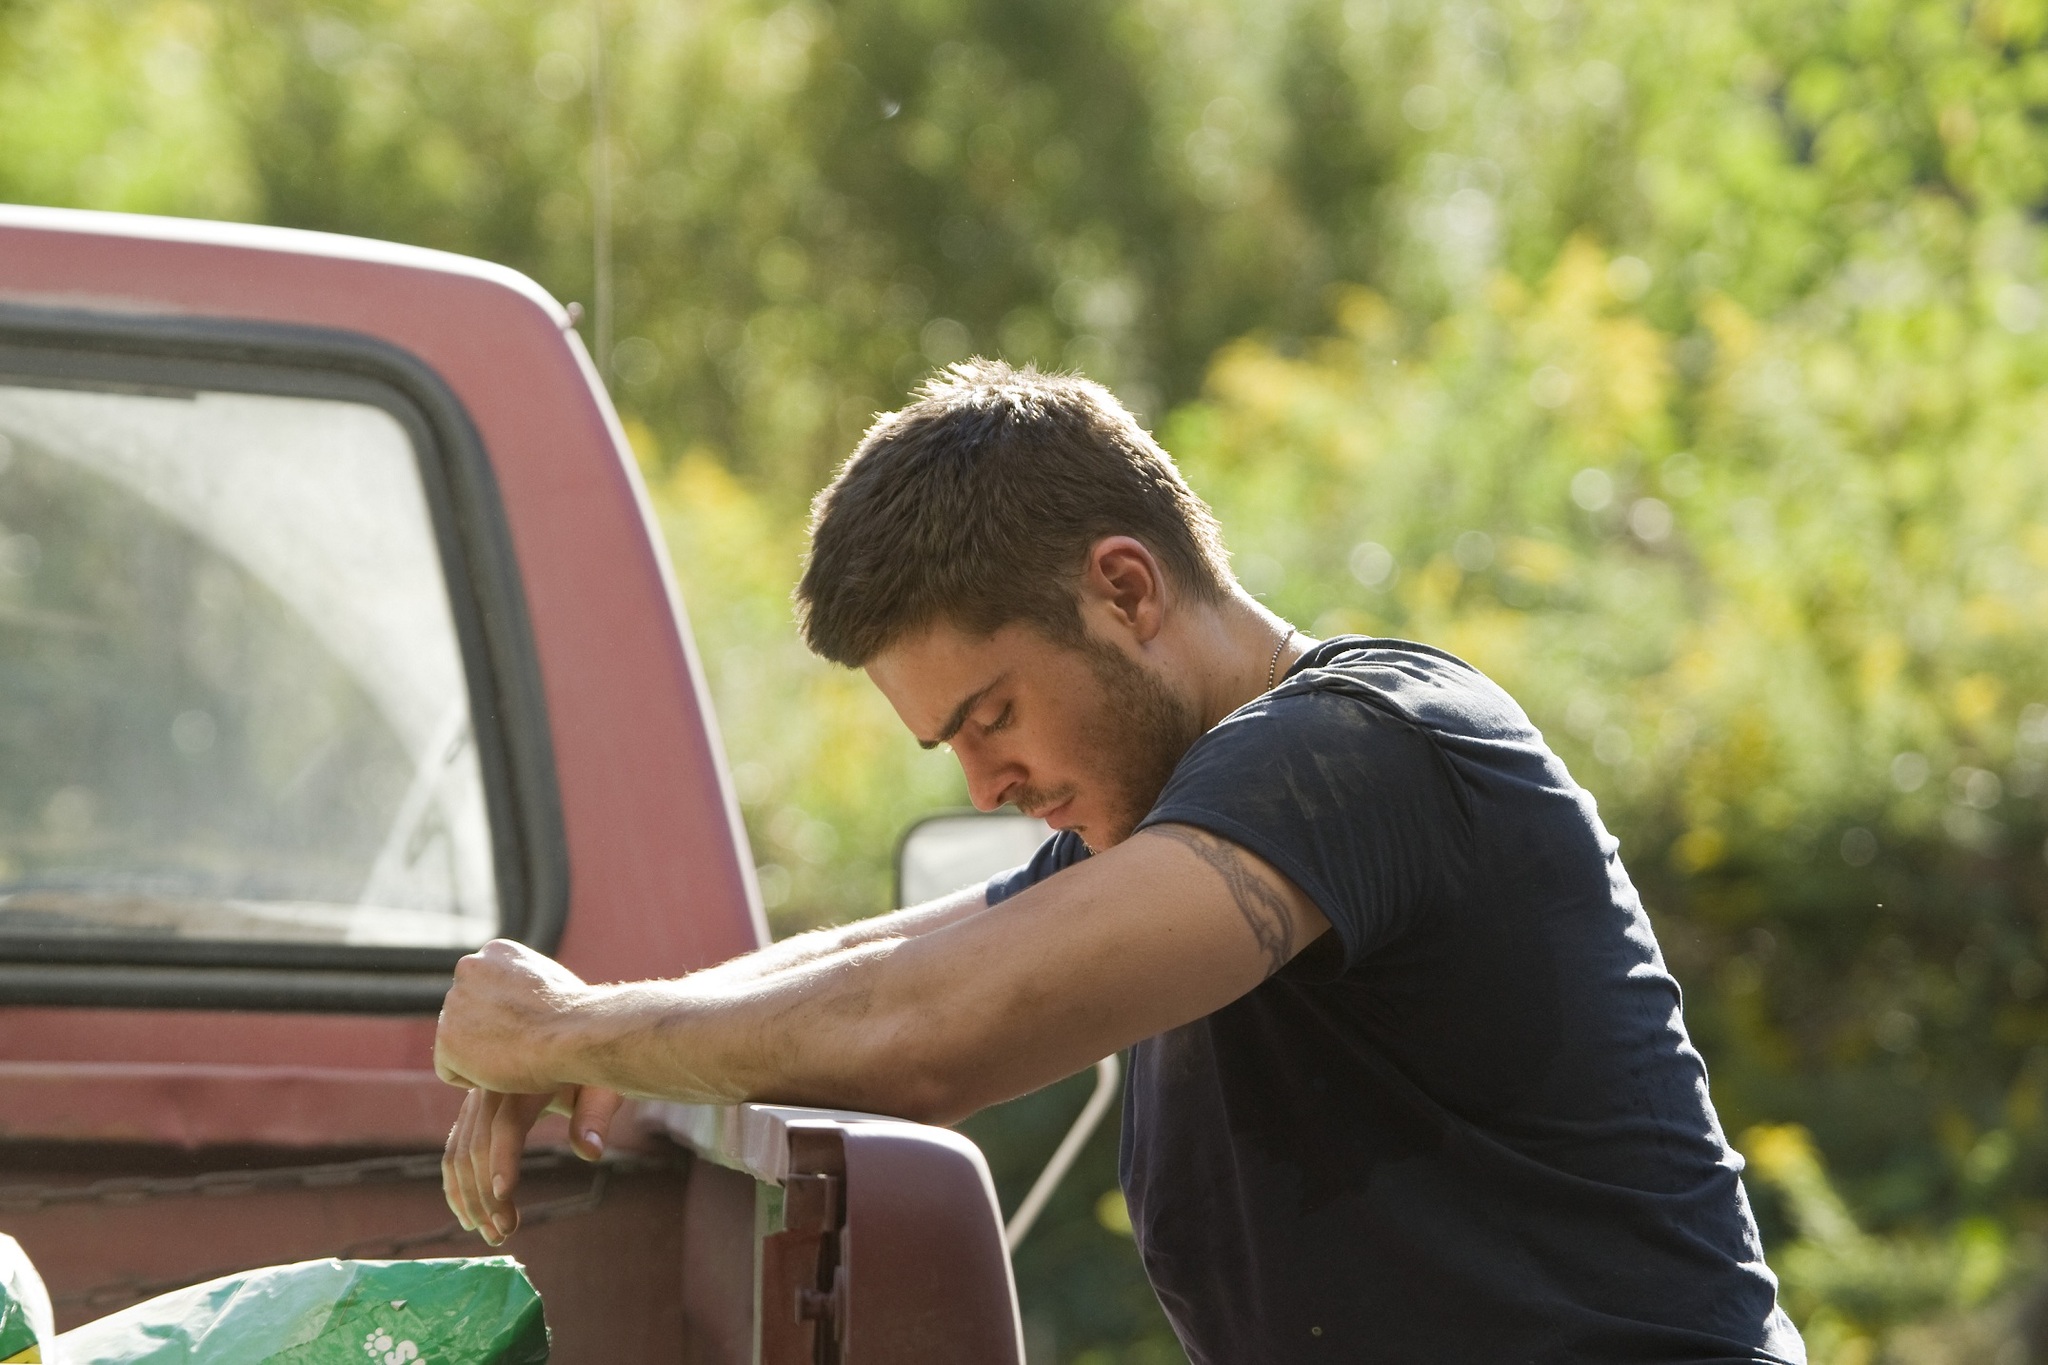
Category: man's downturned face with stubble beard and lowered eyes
[1082,738]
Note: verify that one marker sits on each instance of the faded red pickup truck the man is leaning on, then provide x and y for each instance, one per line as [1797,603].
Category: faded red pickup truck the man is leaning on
[335,642]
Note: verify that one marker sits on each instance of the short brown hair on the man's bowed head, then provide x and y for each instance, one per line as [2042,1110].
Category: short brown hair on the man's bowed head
[978,504]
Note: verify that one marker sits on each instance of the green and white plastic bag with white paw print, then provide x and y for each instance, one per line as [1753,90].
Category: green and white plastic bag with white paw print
[331,1313]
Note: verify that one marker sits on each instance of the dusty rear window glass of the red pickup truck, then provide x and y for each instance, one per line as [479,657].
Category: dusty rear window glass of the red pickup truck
[232,701]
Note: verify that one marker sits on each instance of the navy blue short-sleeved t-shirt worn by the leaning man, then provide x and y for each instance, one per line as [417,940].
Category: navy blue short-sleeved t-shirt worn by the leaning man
[1465,1125]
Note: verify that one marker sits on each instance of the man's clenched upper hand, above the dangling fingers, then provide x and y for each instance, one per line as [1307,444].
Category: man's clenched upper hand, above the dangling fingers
[497,1022]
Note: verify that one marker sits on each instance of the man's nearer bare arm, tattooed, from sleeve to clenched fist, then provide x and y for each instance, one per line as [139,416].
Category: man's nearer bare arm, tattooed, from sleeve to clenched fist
[933,1024]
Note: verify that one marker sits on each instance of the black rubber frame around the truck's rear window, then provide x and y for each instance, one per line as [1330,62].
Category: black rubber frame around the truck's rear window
[495,635]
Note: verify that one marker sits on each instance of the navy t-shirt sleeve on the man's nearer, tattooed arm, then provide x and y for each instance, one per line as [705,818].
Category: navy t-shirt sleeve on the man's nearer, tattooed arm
[1353,803]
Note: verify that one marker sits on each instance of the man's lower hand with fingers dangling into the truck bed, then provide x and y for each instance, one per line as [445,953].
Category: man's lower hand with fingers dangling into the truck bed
[480,1165]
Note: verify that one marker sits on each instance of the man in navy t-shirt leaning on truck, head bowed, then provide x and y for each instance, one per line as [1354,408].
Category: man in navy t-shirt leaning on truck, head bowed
[1408,1073]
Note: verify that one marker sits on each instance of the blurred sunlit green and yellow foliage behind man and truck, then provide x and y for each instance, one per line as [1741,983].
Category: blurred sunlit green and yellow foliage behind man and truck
[1676,363]
